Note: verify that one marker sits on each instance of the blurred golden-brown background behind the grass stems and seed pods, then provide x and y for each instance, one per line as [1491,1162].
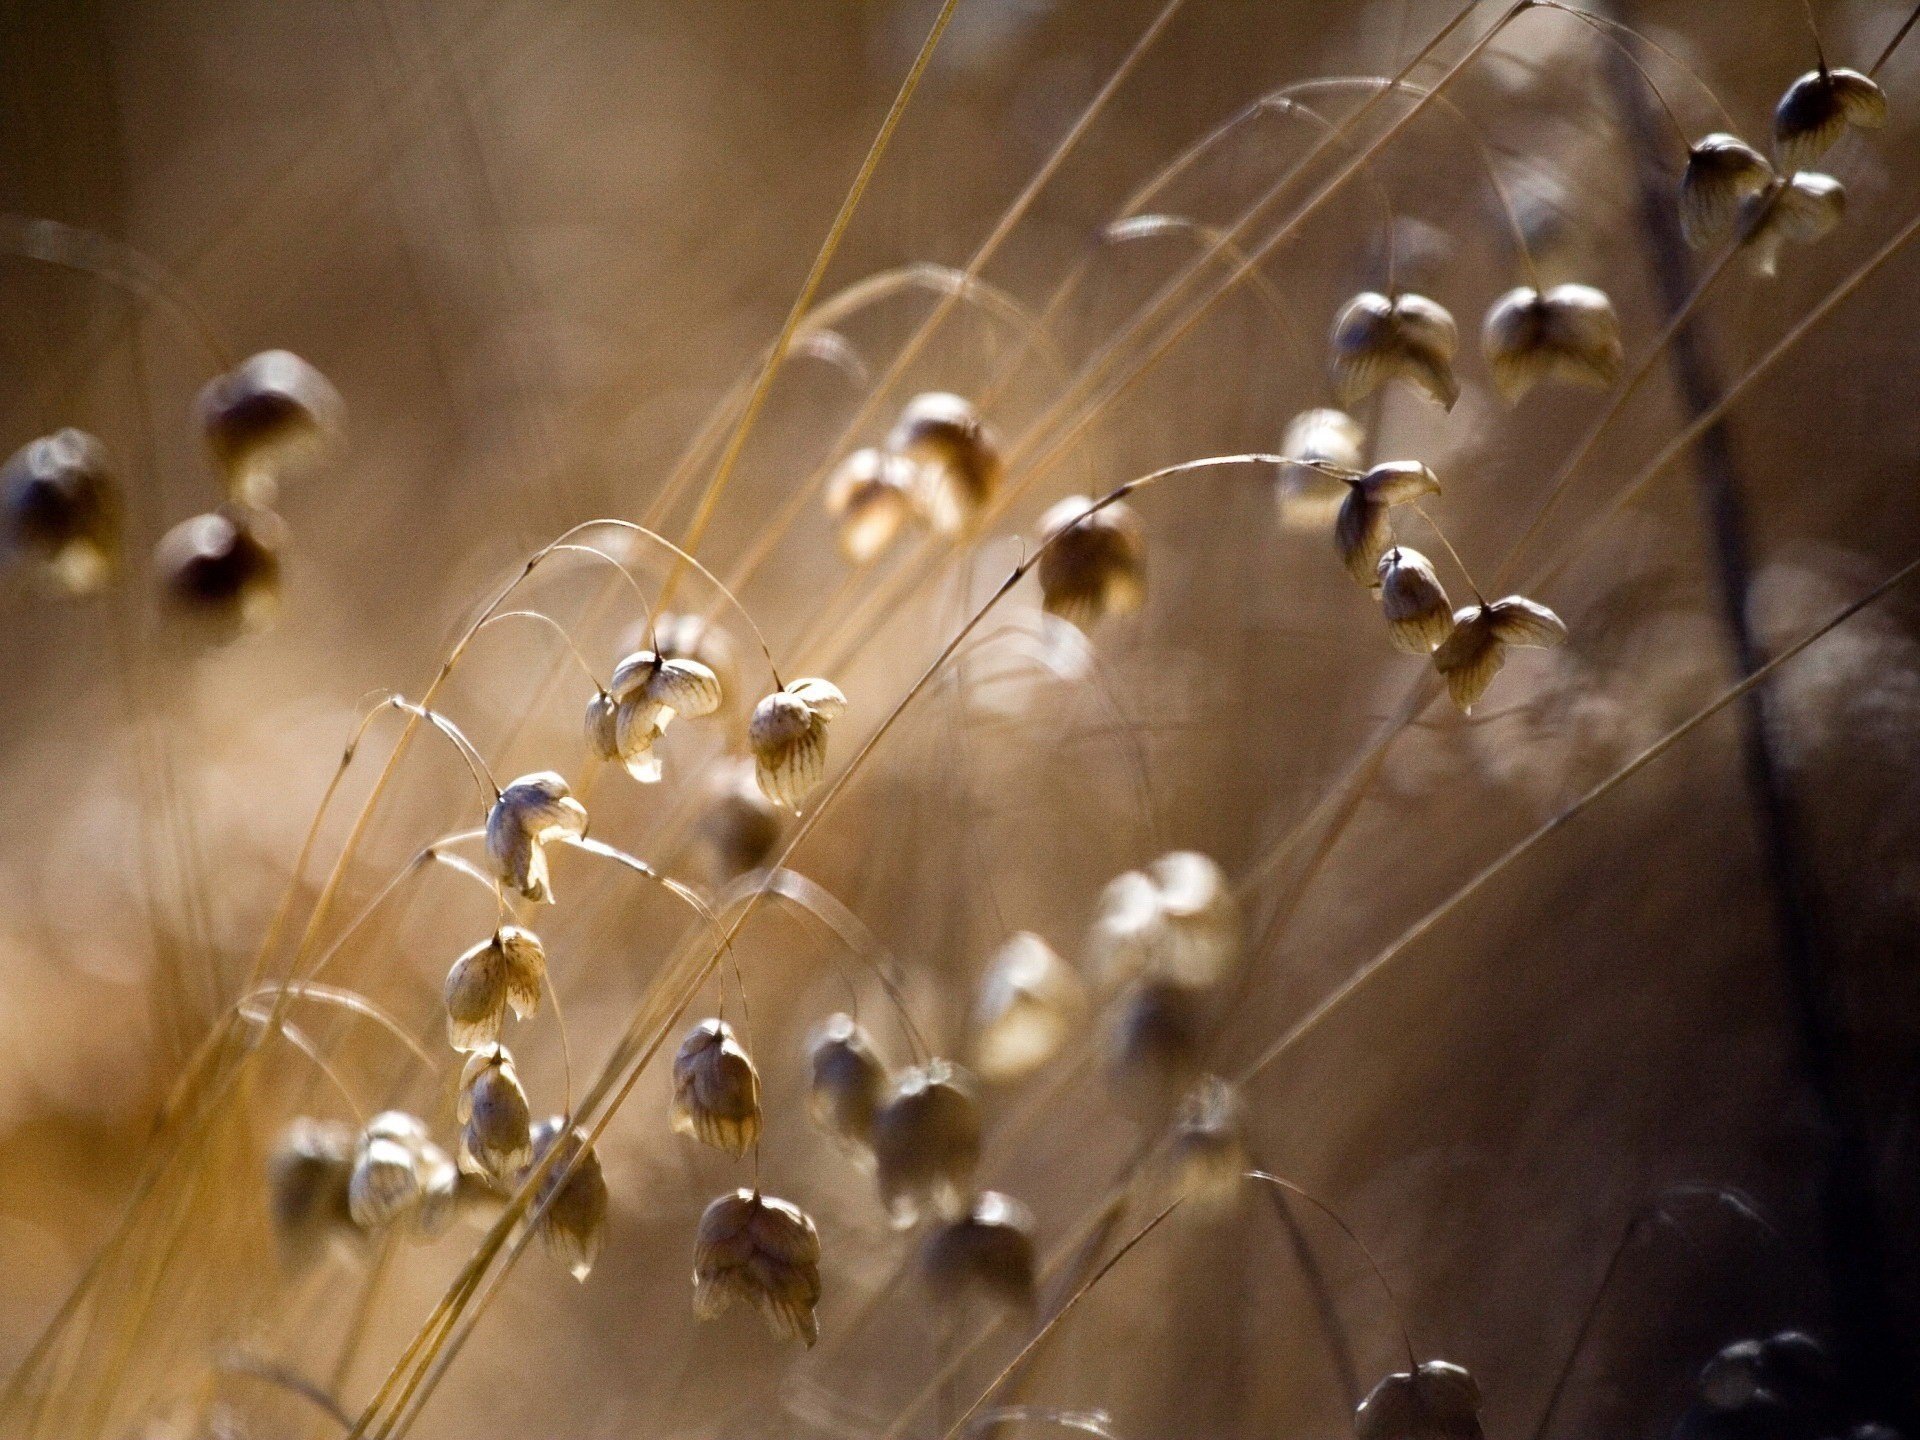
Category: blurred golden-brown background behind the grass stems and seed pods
[533,245]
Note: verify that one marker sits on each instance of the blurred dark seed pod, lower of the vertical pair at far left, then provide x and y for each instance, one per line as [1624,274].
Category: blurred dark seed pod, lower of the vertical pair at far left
[220,573]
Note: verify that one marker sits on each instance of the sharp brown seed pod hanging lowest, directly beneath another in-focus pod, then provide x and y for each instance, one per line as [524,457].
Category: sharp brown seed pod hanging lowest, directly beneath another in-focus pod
[763,1251]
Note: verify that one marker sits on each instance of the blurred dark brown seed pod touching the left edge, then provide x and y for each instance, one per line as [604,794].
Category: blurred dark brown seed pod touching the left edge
[64,510]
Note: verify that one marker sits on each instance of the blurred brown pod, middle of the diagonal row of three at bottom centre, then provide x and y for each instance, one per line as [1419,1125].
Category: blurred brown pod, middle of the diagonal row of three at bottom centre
[926,1143]
